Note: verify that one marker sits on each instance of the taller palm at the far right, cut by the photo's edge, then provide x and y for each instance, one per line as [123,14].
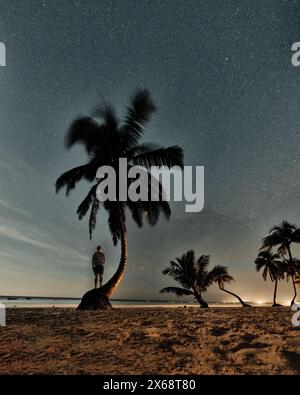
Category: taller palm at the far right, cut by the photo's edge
[283,236]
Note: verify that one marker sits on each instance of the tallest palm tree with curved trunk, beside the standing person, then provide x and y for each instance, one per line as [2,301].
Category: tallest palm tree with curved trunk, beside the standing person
[106,140]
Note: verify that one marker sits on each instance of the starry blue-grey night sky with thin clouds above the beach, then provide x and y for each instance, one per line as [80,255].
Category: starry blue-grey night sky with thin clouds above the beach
[221,76]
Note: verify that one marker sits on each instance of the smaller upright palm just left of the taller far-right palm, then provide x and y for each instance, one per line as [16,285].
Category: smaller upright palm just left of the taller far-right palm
[272,266]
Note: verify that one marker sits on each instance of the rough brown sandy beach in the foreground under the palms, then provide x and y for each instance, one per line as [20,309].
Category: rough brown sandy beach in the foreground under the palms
[150,341]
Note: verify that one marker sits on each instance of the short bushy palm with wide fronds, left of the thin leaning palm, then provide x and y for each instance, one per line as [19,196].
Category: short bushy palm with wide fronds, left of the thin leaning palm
[192,275]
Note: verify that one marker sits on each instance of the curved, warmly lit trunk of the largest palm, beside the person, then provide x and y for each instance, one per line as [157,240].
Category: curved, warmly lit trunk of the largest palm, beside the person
[98,299]
